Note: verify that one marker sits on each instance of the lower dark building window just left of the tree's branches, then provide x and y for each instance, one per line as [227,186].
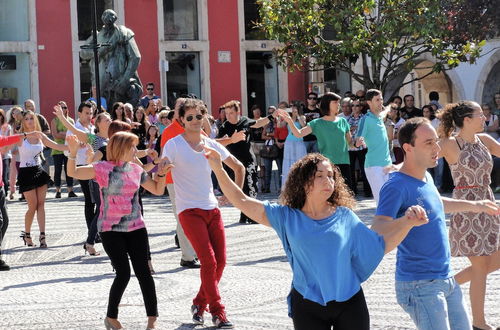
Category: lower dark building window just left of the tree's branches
[262,79]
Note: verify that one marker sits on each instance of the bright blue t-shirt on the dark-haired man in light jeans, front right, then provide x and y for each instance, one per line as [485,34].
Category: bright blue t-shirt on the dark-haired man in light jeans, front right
[425,252]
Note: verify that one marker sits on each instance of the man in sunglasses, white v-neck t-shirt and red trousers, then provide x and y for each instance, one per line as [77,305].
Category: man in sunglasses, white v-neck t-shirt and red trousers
[197,206]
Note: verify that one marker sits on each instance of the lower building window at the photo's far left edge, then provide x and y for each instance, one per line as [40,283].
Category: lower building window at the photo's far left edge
[15,80]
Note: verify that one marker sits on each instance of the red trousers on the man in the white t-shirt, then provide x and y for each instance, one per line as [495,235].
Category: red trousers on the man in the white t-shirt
[205,231]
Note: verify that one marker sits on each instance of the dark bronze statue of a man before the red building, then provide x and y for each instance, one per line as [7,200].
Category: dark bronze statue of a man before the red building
[118,61]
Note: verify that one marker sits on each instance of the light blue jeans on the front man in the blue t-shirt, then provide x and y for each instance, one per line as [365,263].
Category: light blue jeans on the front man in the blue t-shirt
[433,304]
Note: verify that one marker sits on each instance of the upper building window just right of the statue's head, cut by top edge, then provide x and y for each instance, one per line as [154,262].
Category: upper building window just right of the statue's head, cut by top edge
[180,19]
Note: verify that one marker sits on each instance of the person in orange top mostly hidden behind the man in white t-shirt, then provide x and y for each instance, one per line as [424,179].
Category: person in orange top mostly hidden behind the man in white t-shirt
[188,258]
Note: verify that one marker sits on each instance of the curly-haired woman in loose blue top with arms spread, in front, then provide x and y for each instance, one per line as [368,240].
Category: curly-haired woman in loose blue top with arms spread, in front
[330,250]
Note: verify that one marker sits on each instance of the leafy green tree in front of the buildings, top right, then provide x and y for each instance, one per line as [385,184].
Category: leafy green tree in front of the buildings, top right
[388,36]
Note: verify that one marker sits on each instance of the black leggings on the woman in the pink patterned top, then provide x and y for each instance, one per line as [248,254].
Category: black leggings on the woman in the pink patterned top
[120,246]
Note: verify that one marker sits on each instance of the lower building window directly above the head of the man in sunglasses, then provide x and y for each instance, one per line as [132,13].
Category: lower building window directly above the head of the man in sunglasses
[183,75]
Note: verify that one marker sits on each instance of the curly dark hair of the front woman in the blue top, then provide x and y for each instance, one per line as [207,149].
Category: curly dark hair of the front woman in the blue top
[301,177]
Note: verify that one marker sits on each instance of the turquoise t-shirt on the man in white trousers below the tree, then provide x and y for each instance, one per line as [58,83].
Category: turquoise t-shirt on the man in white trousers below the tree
[372,129]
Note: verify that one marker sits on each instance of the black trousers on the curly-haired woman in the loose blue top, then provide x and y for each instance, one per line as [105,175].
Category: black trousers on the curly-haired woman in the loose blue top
[347,315]
